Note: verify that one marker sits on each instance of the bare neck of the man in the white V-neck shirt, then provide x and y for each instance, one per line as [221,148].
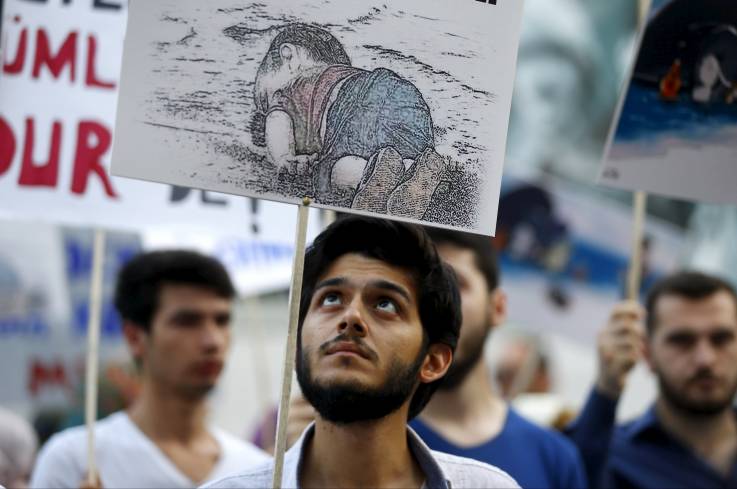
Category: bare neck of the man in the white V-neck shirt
[164,416]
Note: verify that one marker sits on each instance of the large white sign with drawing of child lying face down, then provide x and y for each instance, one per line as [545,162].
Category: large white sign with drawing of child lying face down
[398,109]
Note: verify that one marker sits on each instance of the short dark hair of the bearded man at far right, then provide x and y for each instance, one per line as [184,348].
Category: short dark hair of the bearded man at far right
[689,284]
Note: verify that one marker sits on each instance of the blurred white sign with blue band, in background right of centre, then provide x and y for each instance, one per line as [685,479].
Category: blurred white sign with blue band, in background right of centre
[564,256]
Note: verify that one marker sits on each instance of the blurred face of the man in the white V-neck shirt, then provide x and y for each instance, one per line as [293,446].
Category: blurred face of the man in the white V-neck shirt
[185,350]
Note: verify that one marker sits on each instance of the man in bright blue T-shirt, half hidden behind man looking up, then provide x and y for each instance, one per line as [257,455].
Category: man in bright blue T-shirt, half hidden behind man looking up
[466,417]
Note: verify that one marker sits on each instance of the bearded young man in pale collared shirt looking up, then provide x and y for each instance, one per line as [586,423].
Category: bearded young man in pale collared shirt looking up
[379,321]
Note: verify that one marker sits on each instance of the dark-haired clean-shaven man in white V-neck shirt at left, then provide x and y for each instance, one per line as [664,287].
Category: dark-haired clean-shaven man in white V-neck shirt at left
[176,311]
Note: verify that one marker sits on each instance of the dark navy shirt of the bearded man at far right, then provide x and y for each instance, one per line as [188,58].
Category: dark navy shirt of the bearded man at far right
[639,454]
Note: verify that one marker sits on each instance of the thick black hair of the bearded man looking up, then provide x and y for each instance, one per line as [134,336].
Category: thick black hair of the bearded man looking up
[402,245]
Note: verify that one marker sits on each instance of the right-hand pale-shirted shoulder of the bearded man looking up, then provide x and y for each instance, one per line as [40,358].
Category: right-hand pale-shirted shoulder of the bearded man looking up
[467,472]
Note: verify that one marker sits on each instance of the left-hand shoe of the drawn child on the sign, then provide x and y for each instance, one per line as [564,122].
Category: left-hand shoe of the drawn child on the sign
[383,172]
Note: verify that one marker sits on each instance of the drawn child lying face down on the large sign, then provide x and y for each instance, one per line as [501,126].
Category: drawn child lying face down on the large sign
[370,130]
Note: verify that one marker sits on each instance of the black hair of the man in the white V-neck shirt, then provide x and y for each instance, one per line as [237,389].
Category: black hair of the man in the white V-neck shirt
[141,279]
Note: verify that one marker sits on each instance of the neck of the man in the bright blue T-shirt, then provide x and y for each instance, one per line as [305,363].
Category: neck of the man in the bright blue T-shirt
[471,413]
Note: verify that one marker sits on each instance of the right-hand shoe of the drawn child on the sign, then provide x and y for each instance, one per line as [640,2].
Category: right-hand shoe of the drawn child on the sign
[412,197]
